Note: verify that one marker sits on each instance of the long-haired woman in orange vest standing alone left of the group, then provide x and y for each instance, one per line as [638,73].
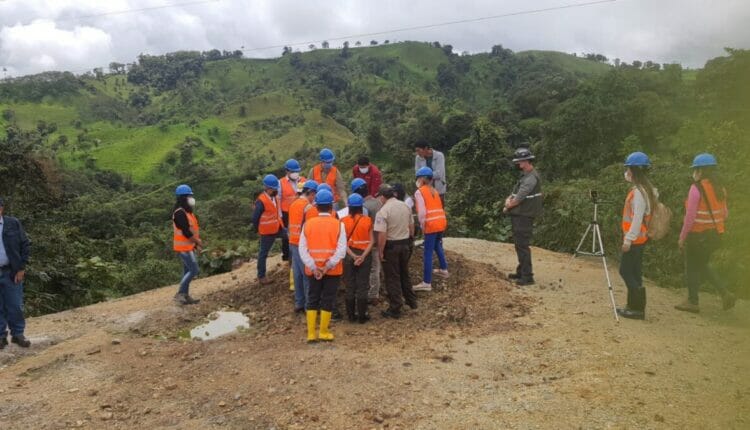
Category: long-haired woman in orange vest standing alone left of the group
[186,241]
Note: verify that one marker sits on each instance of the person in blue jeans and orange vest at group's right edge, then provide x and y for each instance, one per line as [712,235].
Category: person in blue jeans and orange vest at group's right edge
[433,223]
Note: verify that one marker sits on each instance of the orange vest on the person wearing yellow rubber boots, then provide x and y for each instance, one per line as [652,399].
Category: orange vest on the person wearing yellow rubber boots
[322,234]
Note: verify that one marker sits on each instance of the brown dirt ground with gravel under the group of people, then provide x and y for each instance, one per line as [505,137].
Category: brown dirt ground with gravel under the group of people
[478,353]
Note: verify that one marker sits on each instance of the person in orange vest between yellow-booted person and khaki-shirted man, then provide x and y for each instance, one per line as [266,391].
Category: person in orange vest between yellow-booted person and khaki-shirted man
[360,241]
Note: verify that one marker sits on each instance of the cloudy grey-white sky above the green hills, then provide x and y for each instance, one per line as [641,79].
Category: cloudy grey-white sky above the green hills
[77,35]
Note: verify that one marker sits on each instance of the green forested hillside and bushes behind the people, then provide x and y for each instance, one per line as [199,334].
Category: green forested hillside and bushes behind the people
[89,162]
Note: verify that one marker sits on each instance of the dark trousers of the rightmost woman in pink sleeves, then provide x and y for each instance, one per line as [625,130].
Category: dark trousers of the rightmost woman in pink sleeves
[698,250]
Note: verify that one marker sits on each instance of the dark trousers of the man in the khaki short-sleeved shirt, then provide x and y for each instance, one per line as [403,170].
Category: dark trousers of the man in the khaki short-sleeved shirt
[396,269]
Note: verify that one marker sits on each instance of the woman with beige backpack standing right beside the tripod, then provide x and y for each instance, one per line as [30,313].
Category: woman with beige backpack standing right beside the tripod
[636,215]
